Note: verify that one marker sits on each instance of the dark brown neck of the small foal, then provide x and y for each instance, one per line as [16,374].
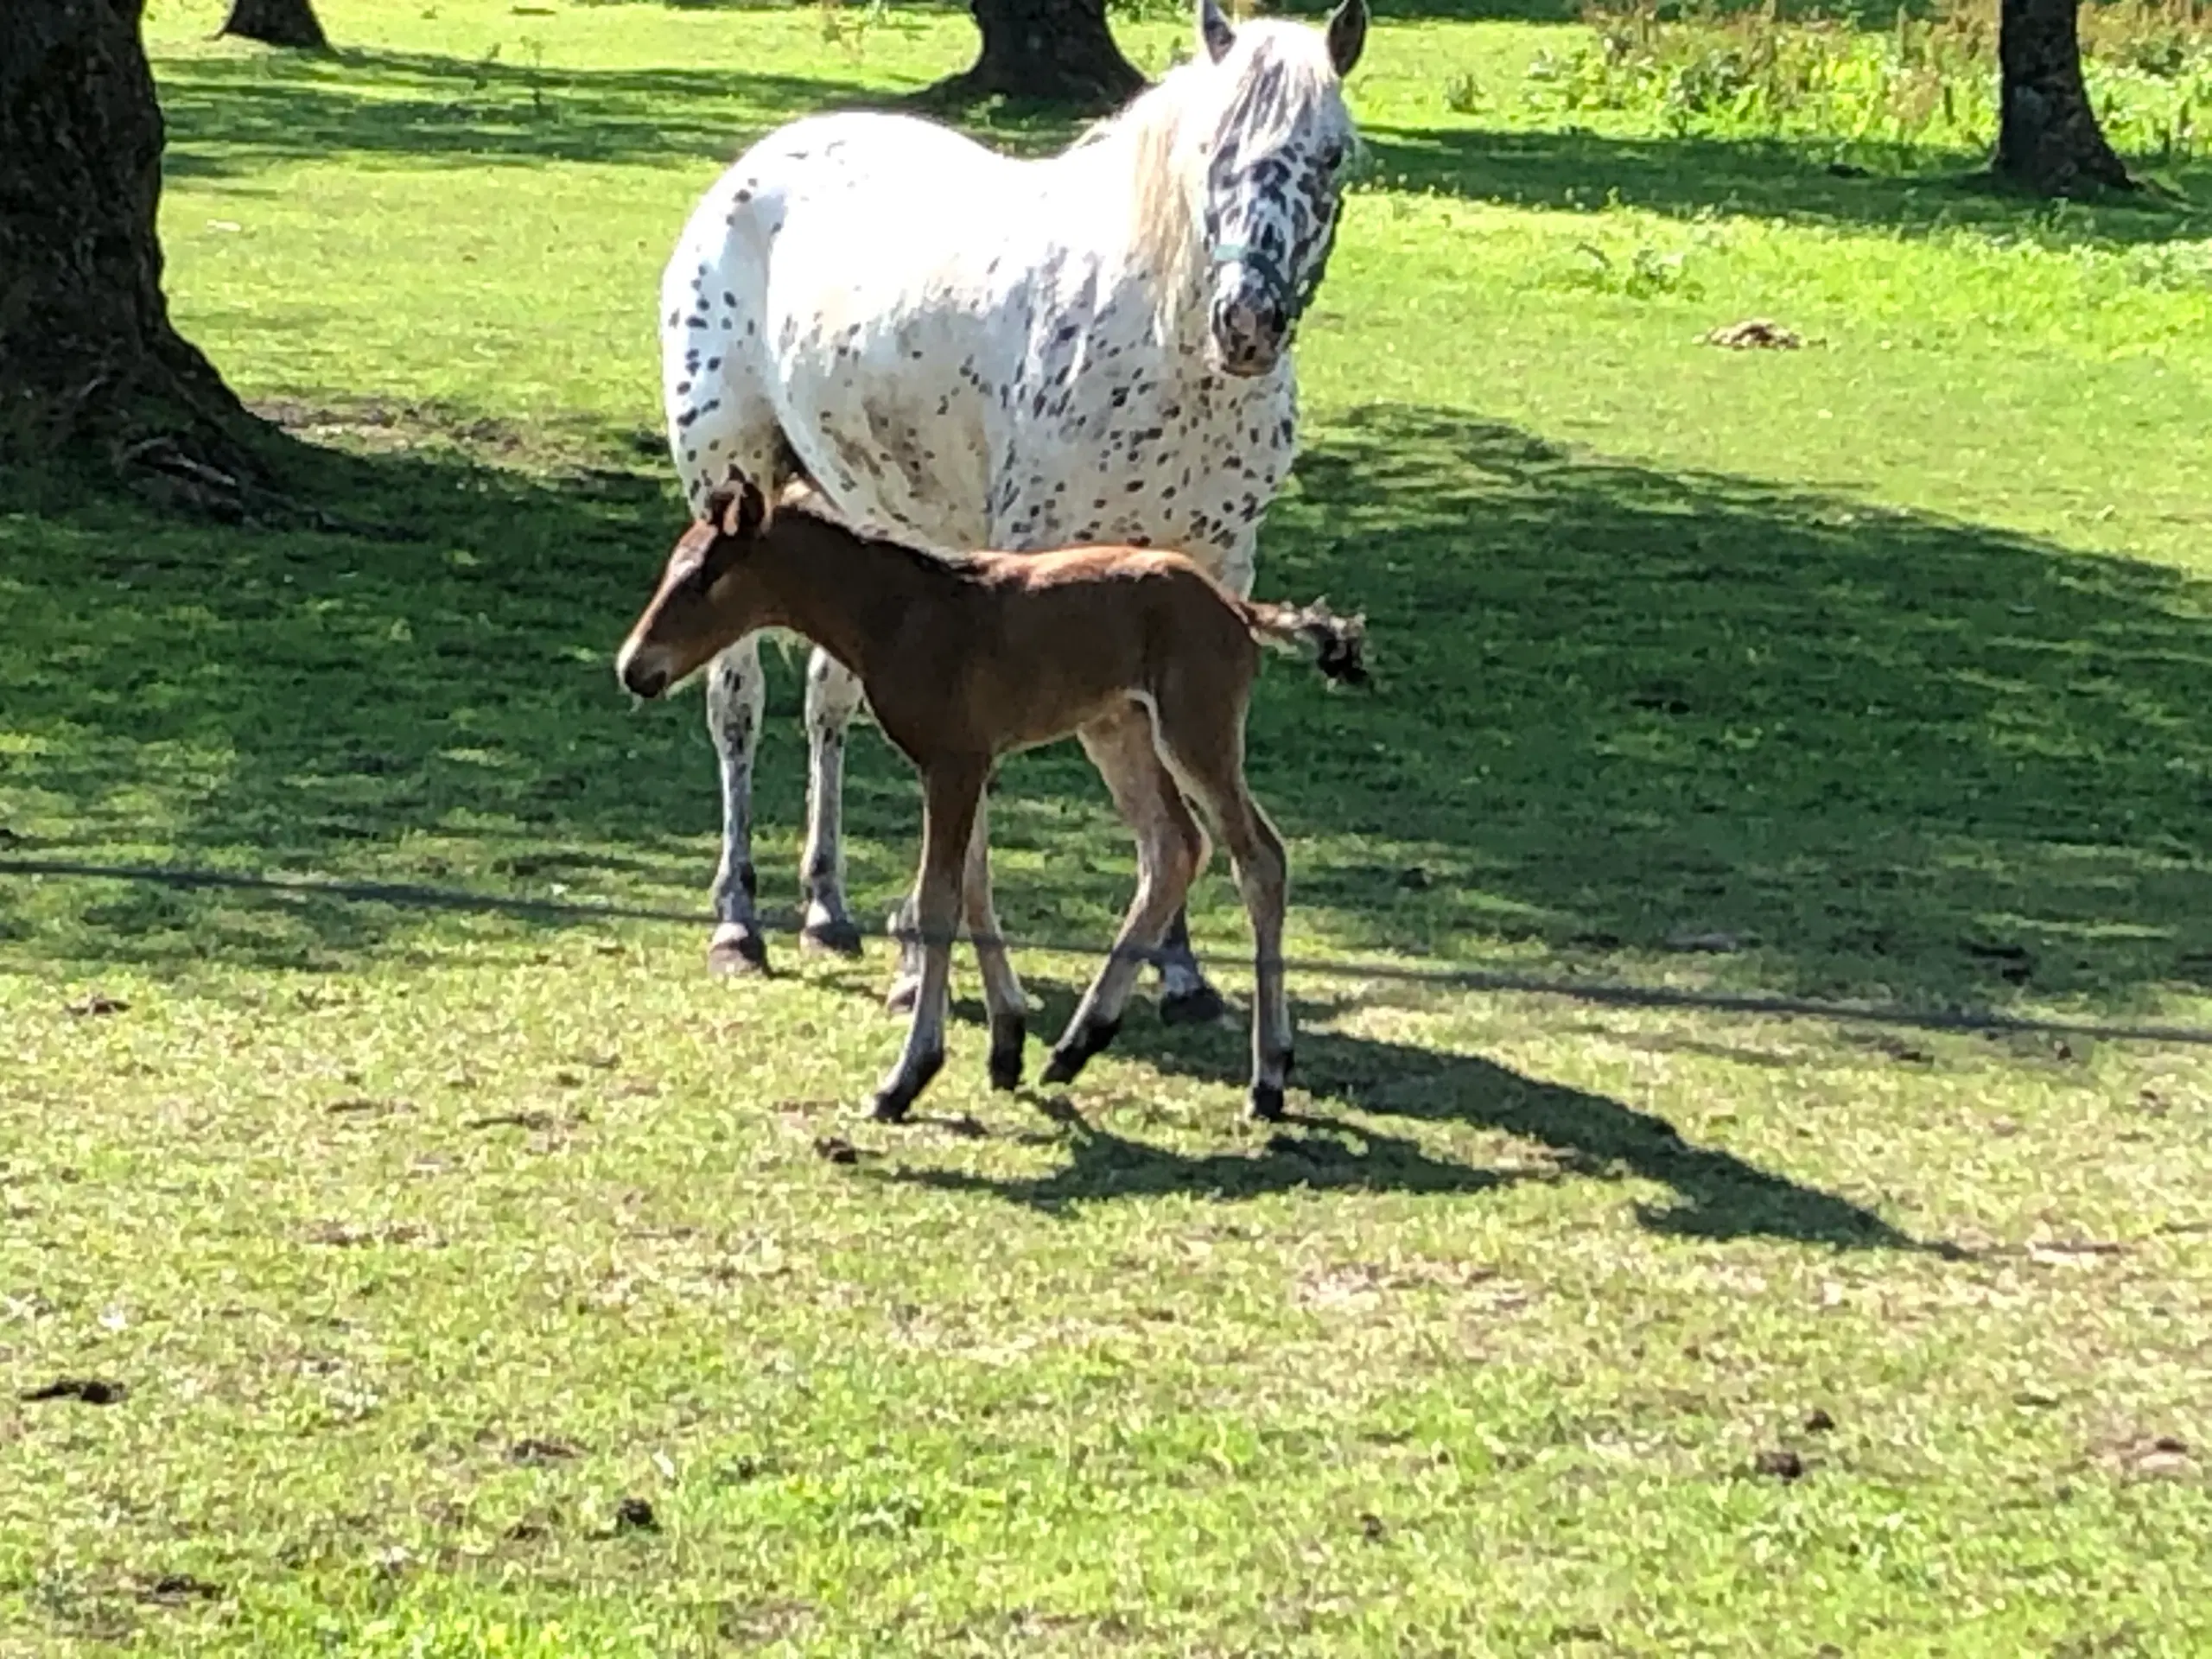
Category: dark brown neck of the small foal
[848,594]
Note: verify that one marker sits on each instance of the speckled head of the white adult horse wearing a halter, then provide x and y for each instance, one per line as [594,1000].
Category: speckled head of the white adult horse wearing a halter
[1275,176]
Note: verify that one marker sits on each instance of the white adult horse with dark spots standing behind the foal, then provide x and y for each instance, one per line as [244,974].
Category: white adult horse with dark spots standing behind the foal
[970,351]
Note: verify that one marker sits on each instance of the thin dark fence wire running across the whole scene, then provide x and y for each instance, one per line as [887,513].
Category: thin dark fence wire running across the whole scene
[1448,977]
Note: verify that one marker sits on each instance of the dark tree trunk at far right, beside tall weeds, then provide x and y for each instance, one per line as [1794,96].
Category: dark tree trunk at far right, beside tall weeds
[2047,132]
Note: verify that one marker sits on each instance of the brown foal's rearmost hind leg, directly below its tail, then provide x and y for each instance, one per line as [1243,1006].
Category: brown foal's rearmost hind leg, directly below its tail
[1204,749]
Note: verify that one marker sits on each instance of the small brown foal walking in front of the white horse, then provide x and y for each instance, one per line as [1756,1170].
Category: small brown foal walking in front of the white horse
[1136,651]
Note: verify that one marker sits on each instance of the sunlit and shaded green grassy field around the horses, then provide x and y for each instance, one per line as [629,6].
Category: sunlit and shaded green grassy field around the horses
[468,1277]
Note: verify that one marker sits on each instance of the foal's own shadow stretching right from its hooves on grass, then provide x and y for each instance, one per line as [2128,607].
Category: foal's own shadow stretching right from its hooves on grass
[1715,1196]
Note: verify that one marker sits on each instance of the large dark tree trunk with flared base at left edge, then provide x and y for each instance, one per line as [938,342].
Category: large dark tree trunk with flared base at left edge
[90,359]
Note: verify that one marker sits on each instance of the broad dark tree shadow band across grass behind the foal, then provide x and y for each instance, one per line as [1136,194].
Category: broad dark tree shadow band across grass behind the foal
[1886,755]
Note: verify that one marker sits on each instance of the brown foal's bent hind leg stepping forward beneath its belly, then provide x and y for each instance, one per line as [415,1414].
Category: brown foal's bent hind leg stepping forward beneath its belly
[1171,851]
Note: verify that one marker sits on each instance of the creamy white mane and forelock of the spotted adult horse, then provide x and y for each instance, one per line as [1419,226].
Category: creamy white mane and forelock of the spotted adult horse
[1275,79]
